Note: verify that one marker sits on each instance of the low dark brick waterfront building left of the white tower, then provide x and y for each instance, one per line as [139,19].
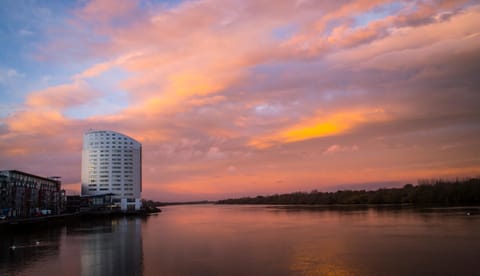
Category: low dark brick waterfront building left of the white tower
[24,195]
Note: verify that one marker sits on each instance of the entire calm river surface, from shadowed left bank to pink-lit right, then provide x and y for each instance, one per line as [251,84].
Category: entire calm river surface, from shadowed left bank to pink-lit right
[252,240]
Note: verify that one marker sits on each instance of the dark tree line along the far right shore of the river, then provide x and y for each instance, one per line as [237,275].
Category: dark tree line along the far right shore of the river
[431,192]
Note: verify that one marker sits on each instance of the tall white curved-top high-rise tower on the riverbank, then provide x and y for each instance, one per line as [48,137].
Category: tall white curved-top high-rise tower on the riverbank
[112,163]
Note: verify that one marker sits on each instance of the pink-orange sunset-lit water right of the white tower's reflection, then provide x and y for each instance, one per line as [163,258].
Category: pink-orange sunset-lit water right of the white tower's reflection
[263,240]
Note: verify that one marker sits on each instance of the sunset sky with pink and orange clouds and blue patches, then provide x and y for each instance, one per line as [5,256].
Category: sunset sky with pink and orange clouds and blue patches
[234,98]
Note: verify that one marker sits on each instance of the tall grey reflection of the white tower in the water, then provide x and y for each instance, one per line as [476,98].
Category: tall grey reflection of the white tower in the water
[115,249]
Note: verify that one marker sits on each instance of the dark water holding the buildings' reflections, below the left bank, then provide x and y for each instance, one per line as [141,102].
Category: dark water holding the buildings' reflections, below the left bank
[88,247]
